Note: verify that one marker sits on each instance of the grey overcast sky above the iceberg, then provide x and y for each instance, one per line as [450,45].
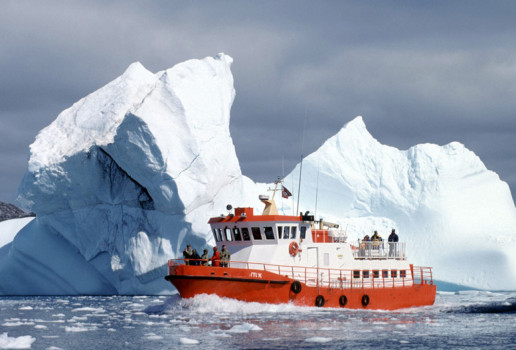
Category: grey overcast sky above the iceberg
[417,71]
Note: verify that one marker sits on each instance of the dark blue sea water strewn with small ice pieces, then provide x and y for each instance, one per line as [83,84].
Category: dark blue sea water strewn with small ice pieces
[457,320]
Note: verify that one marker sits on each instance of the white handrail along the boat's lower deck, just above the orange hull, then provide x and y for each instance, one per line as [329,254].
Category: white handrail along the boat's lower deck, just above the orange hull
[333,278]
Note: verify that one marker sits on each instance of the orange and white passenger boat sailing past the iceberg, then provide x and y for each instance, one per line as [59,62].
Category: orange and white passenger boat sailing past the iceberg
[295,259]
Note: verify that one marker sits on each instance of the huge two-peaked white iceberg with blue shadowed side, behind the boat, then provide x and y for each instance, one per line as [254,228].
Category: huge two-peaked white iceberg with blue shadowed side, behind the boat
[124,178]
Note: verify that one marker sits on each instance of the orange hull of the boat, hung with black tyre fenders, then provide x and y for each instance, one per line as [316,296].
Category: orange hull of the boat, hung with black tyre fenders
[267,287]
